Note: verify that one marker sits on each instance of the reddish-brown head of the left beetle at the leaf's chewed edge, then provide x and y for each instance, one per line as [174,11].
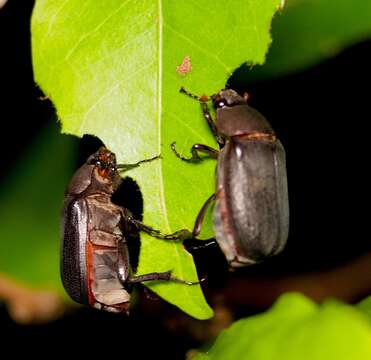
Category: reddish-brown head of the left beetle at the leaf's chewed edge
[105,170]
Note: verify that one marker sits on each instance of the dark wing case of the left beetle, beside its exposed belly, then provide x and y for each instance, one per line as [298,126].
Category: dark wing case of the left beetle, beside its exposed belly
[73,249]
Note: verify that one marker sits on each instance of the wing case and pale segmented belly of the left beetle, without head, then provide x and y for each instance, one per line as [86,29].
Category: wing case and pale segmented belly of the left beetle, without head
[90,236]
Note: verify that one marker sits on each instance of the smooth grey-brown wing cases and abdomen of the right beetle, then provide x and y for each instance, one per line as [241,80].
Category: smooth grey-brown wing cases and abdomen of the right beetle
[255,214]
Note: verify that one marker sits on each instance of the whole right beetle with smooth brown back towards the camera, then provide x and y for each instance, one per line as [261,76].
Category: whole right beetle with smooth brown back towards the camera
[251,212]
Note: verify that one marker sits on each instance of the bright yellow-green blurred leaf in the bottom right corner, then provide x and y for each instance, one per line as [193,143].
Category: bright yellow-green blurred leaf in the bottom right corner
[297,328]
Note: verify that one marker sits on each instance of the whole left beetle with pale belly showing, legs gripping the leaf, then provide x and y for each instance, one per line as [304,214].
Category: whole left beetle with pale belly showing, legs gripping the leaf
[95,267]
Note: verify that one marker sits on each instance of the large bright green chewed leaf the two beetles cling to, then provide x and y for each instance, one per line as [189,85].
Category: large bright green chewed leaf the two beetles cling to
[114,69]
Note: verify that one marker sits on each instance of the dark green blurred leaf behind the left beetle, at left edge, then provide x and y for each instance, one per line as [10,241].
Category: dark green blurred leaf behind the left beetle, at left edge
[31,199]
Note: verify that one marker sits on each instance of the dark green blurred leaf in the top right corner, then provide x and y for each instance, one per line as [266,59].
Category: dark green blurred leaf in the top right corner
[310,31]
